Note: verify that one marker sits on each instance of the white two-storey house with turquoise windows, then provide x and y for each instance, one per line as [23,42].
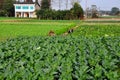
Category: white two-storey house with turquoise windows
[26,8]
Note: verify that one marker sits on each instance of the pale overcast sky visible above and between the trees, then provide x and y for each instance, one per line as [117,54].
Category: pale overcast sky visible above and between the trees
[101,4]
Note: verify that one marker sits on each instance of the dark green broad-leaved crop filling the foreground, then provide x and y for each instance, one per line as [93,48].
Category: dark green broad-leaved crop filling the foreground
[60,58]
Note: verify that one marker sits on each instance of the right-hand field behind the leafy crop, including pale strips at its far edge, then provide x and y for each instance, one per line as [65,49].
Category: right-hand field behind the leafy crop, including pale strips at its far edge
[99,27]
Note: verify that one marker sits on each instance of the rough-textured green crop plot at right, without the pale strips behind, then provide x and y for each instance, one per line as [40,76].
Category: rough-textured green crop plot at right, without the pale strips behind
[95,30]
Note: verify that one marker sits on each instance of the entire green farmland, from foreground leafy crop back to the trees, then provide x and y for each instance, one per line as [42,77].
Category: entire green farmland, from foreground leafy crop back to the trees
[90,52]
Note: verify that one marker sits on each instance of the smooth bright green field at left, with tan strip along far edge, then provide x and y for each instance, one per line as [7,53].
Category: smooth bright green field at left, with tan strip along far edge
[10,28]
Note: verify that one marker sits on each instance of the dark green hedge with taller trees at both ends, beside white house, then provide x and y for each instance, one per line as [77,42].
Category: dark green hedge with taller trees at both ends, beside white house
[76,12]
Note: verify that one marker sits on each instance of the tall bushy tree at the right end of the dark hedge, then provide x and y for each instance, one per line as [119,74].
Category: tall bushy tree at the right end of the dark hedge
[77,11]
